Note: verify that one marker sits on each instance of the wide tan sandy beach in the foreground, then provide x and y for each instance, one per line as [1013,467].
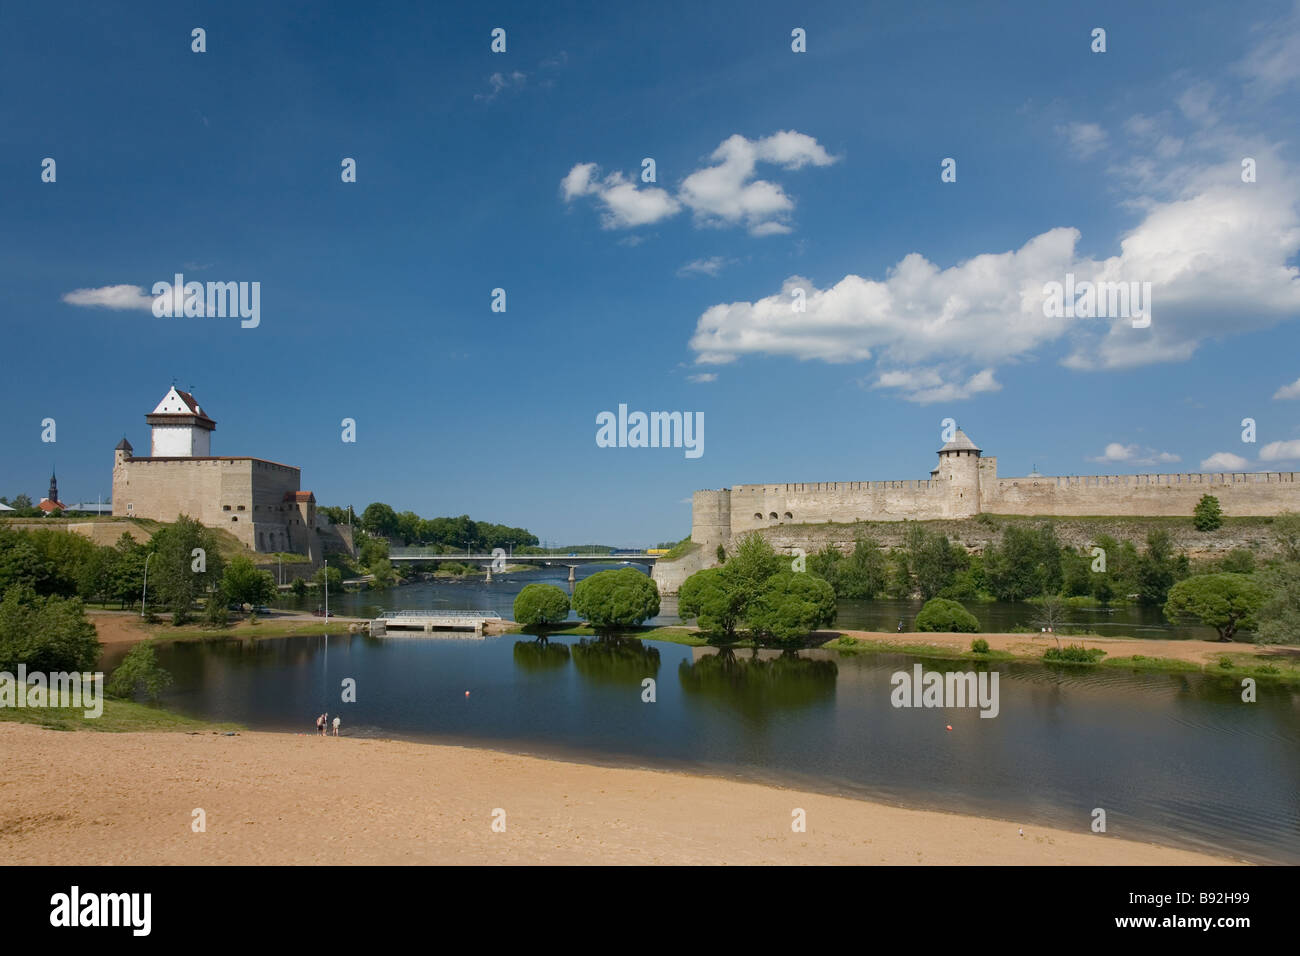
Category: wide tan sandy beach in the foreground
[283,799]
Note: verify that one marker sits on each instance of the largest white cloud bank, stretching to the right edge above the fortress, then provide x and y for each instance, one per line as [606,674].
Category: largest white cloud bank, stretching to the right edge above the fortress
[1219,256]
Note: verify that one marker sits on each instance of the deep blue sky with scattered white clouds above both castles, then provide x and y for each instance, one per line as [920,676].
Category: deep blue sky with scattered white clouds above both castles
[774,171]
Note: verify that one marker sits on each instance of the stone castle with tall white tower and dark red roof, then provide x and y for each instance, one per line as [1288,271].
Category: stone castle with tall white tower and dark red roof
[261,503]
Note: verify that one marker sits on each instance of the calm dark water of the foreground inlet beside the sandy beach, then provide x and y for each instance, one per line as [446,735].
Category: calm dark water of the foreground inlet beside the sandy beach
[1176,760]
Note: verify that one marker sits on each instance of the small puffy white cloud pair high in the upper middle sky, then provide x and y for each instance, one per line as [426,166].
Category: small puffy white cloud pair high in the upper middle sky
[723,194]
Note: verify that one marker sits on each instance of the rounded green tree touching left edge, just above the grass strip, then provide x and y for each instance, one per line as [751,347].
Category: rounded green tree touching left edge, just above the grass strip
[47,634]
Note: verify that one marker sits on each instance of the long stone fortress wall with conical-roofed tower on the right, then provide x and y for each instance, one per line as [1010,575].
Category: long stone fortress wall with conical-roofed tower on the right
[965,483]
